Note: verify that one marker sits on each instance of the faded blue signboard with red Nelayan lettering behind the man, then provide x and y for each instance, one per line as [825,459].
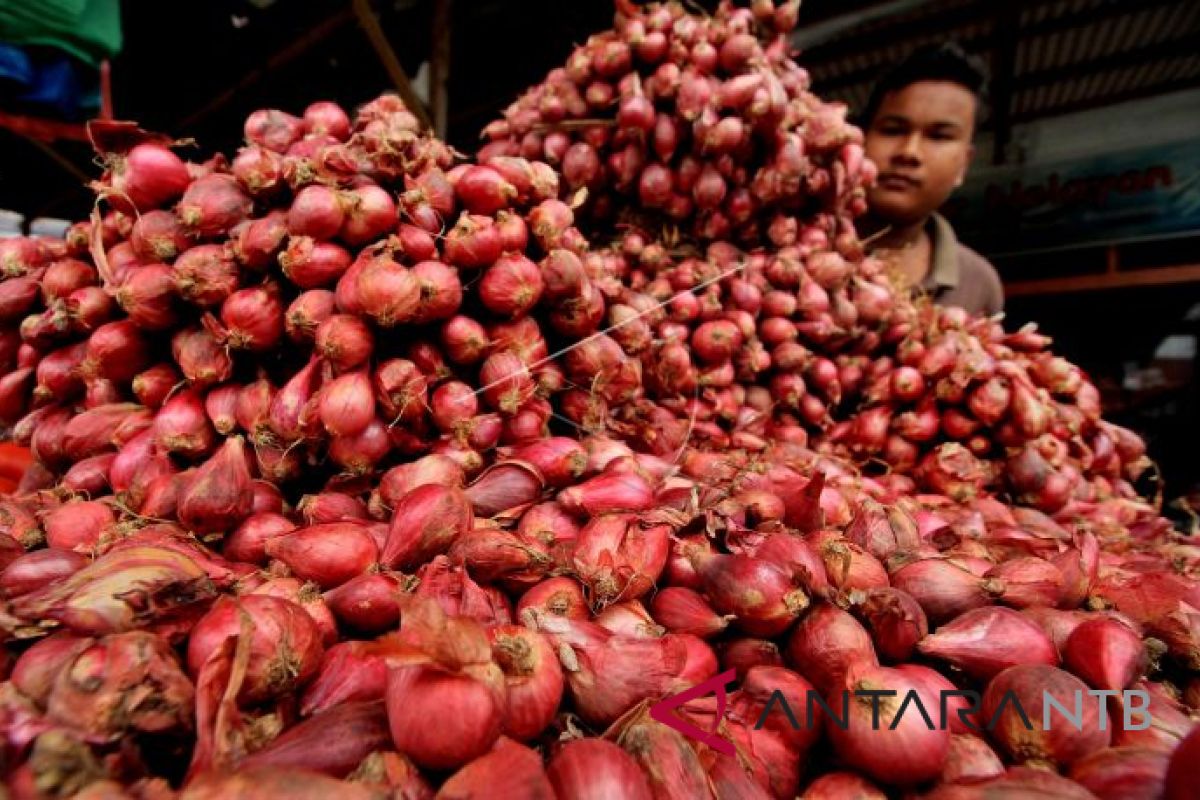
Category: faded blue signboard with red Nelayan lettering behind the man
[1105,200]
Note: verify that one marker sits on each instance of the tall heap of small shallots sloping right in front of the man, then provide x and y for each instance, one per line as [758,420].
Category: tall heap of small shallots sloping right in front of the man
[707,125]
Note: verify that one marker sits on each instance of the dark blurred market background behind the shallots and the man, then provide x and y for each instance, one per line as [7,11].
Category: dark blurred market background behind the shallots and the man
[1085,191]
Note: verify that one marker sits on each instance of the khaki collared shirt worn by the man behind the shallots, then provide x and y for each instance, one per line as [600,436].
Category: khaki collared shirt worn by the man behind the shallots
[959,276]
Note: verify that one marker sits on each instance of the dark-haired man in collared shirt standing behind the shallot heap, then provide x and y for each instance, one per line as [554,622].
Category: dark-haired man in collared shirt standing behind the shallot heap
[920,123]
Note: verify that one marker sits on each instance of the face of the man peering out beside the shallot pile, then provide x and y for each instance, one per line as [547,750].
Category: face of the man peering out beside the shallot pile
[921,141]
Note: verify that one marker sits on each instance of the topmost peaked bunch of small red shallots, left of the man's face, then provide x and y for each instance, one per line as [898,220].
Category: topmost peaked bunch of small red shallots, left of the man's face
[703,122]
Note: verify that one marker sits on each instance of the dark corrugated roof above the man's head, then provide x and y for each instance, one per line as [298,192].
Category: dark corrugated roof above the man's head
[1067,55]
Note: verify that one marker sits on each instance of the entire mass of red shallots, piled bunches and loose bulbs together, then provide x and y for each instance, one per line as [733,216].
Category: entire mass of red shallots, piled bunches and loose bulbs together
[364,471]
